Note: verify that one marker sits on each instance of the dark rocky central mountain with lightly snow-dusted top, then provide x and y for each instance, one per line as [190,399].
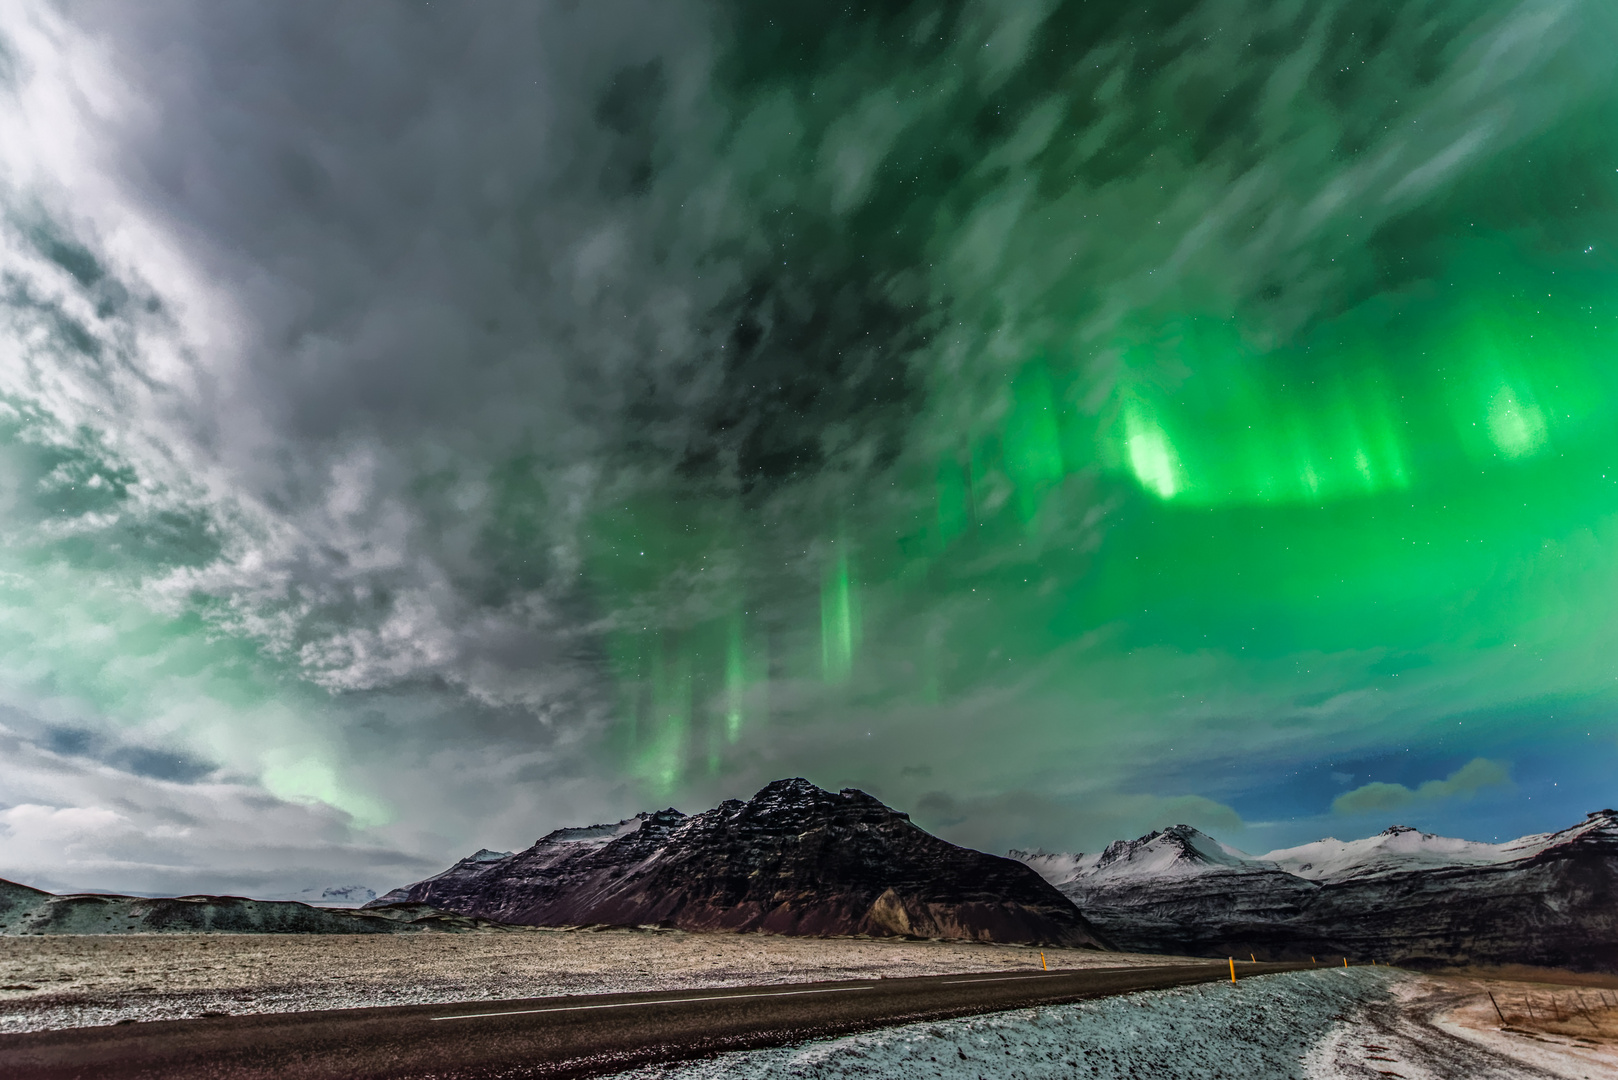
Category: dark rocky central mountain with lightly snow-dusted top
[792,861]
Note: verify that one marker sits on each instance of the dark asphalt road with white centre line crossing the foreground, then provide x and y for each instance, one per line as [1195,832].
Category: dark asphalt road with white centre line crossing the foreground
[551,1037]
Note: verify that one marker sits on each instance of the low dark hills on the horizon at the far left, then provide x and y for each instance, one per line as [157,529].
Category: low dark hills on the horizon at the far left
[27,911]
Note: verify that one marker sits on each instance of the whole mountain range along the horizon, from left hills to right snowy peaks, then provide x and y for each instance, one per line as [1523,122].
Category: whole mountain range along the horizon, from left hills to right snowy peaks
[802,861]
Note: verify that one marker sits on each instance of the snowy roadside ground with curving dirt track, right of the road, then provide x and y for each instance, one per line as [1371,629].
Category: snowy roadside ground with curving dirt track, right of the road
[1357,1024]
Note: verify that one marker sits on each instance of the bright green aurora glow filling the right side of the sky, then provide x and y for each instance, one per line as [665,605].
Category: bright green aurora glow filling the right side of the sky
[1281,500]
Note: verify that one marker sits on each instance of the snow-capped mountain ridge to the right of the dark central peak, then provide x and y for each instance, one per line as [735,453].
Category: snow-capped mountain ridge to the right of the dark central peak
[1402,896]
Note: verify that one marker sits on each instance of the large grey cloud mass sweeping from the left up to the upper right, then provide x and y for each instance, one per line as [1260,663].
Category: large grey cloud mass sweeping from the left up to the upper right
[475,274]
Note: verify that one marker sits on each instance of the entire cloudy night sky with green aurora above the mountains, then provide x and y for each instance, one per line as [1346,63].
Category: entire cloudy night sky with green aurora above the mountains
[428,427]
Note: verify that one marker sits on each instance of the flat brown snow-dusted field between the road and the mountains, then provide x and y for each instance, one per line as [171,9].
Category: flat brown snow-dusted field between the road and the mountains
[61,982]
